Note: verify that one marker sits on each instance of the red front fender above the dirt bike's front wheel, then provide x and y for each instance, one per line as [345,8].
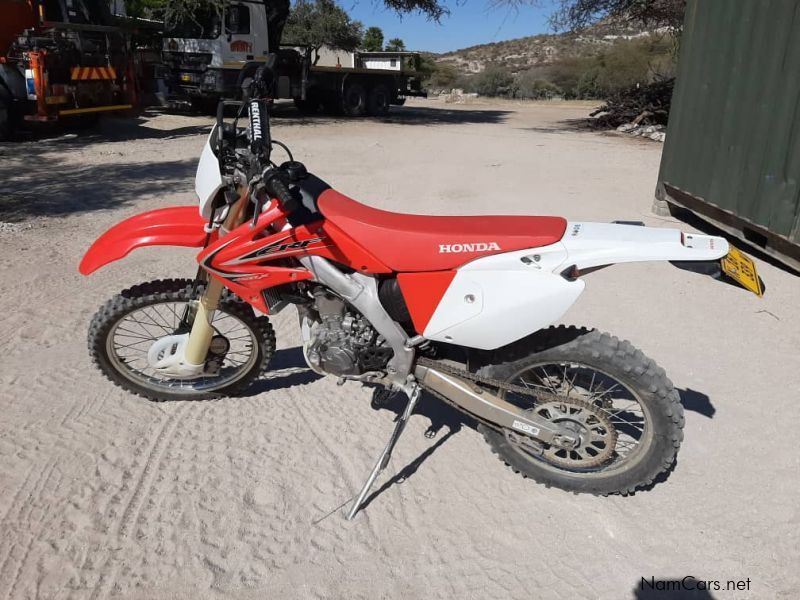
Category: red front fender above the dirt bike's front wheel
[177,226]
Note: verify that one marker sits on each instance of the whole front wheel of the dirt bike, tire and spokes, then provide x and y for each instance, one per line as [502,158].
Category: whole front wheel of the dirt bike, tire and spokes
[125,329]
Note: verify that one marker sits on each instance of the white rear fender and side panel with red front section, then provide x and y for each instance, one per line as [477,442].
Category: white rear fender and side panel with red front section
[498,299]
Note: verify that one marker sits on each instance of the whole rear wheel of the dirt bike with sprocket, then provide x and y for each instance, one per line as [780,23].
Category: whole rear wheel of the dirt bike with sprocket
[621,405]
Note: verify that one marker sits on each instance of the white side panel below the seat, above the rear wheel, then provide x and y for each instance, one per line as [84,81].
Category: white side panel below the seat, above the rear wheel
[499,299]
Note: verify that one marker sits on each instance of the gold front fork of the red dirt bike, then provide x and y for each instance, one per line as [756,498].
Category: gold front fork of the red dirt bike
[202,330]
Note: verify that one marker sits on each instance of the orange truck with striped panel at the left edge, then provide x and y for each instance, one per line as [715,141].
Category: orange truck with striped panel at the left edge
[61,59]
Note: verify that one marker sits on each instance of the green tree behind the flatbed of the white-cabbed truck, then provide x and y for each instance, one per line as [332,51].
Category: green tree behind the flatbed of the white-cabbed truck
[318,23]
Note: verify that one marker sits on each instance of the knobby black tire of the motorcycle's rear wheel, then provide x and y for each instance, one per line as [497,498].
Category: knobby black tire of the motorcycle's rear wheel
[620,360]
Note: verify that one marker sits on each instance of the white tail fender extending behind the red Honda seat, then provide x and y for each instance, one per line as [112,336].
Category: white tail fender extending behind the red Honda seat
[595,244]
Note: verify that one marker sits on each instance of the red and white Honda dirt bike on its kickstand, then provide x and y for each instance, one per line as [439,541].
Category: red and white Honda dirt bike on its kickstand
[461,307]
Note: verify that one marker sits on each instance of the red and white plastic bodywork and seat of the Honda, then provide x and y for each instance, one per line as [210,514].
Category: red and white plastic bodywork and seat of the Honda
[474,281]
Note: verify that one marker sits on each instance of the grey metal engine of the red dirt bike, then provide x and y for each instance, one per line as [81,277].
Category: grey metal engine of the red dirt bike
[340,341]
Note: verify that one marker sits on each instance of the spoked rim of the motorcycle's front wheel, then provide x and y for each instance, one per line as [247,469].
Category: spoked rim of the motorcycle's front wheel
[131,337]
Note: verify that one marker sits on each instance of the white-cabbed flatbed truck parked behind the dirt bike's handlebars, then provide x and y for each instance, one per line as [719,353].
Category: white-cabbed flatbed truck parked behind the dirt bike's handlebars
[204,56]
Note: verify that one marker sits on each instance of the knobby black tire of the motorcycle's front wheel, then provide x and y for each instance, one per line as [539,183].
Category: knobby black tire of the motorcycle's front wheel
[175,290]
